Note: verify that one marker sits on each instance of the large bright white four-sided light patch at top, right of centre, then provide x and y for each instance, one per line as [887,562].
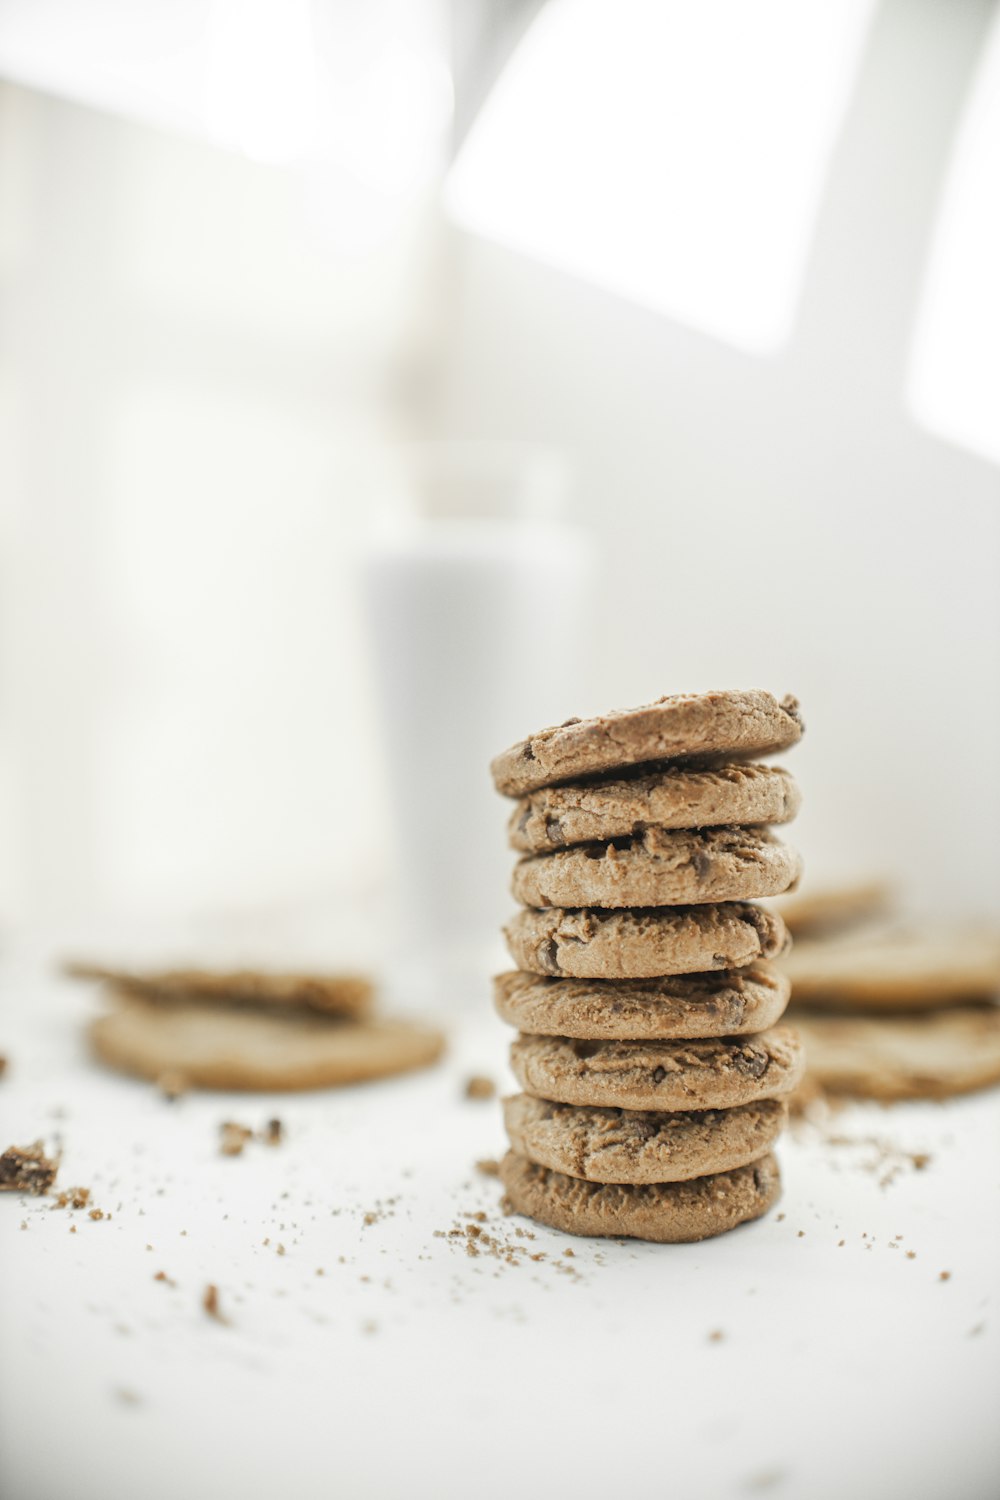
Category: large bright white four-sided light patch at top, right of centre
[668,151]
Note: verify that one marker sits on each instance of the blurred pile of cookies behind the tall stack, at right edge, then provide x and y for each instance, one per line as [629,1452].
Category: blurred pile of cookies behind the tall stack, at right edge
[891,1010]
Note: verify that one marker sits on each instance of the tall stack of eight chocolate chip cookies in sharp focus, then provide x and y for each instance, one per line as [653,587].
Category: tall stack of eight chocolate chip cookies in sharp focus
[653,1072]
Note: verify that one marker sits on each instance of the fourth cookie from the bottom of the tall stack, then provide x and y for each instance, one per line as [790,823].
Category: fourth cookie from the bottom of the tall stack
[719,1004]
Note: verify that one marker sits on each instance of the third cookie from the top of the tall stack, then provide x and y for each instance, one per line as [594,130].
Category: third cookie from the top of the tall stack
[660,868]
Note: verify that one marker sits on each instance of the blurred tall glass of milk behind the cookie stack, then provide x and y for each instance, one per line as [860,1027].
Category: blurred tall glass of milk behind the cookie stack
[475,593]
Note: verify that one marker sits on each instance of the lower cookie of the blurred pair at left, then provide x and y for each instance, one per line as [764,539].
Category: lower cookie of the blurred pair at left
[218,1048]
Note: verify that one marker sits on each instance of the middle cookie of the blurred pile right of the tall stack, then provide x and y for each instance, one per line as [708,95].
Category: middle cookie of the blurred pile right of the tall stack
[897,971]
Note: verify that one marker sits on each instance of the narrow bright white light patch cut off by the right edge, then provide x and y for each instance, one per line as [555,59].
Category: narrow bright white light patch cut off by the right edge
[954,386]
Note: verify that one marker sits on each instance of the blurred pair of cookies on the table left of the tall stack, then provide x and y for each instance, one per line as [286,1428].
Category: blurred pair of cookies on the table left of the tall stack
[250,1030]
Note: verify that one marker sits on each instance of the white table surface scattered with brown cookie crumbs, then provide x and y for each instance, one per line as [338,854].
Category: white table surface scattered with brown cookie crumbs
[770,1361]
